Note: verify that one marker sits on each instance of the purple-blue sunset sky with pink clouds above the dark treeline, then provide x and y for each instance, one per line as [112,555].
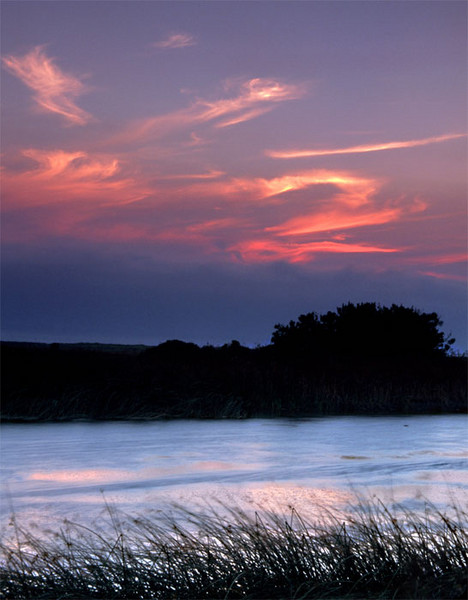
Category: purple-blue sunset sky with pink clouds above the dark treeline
[204,170]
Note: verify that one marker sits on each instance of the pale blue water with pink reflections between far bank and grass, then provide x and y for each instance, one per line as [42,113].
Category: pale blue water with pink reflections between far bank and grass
[68,470]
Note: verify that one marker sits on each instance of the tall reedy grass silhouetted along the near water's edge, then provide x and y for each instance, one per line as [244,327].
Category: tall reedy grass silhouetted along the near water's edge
[374,553]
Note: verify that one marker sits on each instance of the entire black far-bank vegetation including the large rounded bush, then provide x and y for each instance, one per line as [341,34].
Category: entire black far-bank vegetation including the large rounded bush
[361,359]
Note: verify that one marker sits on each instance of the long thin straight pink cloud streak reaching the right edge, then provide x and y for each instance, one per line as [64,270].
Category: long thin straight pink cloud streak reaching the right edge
[363,148]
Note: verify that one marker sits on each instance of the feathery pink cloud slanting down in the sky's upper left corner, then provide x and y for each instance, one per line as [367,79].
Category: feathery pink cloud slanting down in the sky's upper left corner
[55,90]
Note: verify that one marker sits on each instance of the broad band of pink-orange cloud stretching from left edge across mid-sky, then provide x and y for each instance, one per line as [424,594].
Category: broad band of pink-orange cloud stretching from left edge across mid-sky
[205,211]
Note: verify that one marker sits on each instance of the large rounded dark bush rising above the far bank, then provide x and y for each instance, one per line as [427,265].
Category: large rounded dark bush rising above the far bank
[365,329]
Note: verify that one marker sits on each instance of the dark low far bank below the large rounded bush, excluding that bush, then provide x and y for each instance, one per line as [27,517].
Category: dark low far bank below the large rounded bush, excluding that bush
[60,382]
